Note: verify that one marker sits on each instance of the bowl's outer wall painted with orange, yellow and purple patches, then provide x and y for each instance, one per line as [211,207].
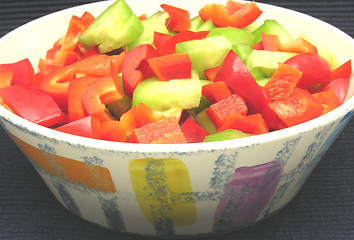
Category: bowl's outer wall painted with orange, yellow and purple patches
[170,194]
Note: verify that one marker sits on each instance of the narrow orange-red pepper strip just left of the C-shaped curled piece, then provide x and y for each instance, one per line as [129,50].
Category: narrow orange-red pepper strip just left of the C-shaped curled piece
[76,91]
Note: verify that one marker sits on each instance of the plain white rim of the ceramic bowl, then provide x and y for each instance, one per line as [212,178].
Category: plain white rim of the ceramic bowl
[334,115]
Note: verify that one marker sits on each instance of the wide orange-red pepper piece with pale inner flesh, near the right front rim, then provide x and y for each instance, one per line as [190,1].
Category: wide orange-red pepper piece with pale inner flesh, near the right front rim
[300,107]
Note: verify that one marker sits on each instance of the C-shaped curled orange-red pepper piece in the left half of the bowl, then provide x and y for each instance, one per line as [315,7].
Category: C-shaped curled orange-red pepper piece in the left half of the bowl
[98,94]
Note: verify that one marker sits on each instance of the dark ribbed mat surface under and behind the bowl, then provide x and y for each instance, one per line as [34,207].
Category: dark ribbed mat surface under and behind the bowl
[323,209]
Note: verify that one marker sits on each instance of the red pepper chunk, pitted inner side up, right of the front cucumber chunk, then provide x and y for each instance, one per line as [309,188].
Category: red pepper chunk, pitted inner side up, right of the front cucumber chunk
[219,111]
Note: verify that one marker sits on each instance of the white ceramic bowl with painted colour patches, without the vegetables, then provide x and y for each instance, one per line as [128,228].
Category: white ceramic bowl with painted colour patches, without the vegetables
[183,189]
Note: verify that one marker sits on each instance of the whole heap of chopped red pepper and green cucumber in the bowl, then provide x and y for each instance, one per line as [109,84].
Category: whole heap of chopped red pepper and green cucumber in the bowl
[168,78]
